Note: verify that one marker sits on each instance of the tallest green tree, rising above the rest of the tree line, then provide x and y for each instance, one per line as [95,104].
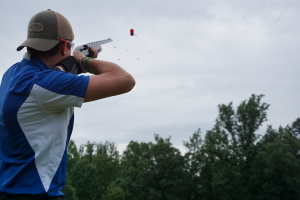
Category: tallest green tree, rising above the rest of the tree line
[226,154]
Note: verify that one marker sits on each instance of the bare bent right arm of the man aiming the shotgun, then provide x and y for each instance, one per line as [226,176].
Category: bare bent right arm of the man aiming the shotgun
[109,79]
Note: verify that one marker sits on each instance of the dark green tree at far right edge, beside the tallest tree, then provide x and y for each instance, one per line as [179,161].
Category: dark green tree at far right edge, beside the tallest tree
[276,171]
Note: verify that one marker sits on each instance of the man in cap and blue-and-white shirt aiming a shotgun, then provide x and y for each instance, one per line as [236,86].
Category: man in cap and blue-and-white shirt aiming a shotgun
[37,105]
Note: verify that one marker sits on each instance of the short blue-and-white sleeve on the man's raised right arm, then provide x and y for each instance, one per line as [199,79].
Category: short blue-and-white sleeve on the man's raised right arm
[57,90]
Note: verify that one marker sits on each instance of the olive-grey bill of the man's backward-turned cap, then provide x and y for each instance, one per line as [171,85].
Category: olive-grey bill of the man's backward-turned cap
[38,44]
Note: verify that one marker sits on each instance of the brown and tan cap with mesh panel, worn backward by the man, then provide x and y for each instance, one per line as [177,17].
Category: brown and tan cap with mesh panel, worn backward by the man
[45,29]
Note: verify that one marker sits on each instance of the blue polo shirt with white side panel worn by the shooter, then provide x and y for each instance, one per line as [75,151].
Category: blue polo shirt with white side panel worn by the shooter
[36,123]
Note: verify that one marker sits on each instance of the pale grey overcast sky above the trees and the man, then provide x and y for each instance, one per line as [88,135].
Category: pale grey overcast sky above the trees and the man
[187,58]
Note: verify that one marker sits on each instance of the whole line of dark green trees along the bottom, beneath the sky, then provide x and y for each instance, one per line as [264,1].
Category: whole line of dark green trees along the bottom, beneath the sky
[230,162]
